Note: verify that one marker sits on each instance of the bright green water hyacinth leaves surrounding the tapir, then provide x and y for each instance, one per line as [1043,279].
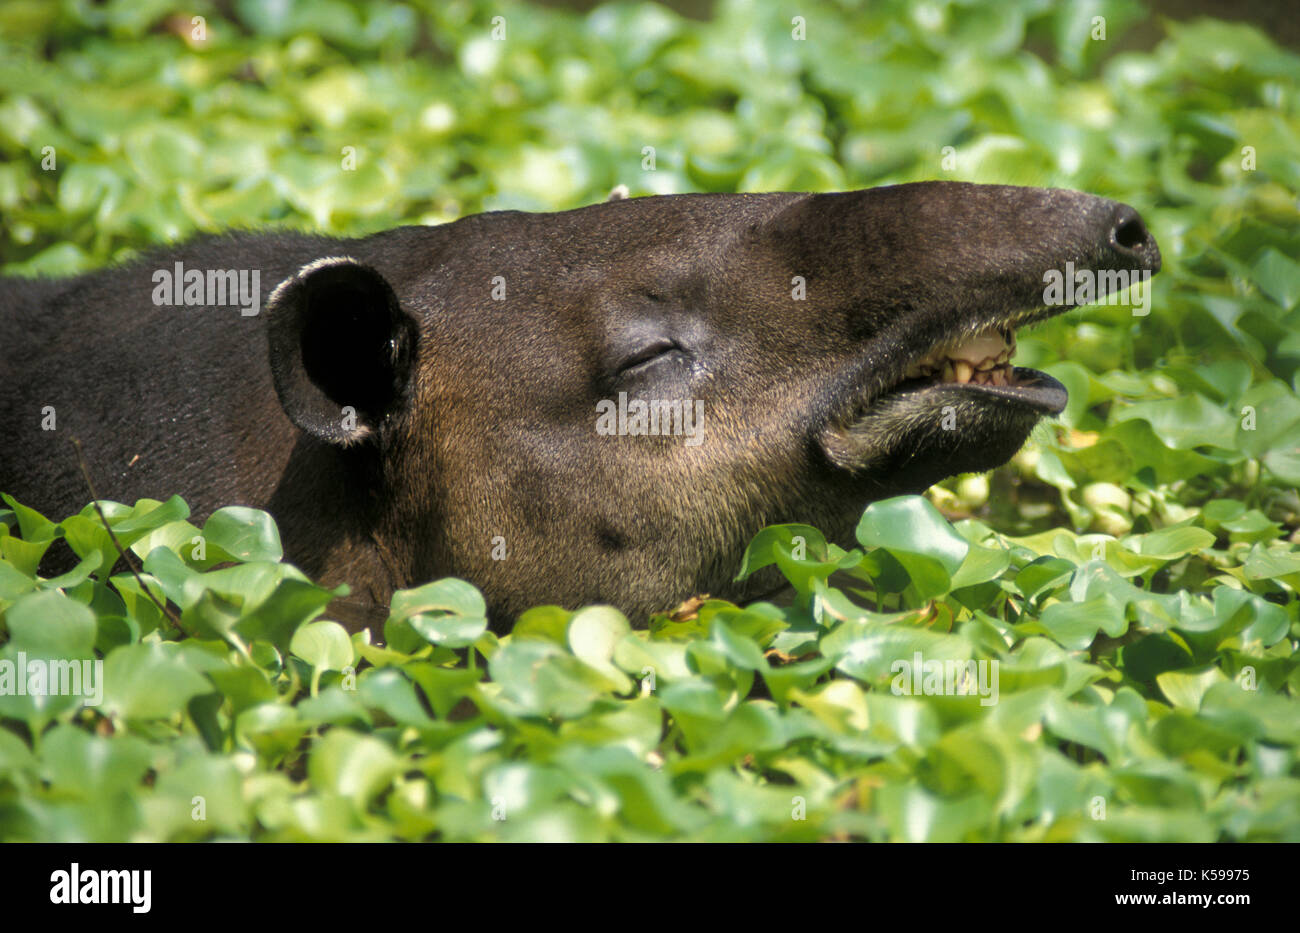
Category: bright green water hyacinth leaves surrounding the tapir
[1134,572]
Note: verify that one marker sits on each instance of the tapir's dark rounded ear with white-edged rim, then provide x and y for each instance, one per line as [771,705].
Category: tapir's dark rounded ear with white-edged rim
[341,349]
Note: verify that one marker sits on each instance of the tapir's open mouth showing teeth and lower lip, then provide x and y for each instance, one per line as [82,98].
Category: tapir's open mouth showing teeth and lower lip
[983,364]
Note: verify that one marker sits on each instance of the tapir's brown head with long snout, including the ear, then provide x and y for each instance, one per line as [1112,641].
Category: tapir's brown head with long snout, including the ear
[606,405]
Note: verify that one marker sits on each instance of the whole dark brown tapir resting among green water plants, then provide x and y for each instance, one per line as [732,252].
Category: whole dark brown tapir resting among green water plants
[595,406]
